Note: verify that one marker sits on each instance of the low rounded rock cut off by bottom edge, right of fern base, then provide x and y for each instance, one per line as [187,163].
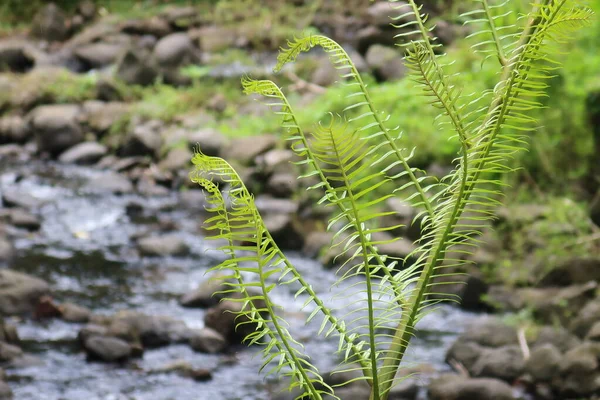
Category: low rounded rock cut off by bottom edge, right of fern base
[452,387]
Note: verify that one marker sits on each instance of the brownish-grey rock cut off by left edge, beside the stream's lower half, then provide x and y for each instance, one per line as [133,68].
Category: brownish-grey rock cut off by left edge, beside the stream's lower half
[19,293]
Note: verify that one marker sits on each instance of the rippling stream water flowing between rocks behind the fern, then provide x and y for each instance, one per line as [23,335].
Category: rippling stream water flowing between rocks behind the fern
[85,250]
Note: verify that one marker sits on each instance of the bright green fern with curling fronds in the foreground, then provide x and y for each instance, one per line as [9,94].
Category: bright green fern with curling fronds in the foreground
[353,159]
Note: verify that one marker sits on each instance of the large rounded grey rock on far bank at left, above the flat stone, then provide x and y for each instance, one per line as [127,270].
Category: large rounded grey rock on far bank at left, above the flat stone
[56,127]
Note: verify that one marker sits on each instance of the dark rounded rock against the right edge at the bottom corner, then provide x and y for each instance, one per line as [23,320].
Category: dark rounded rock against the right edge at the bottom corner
[579,371]
